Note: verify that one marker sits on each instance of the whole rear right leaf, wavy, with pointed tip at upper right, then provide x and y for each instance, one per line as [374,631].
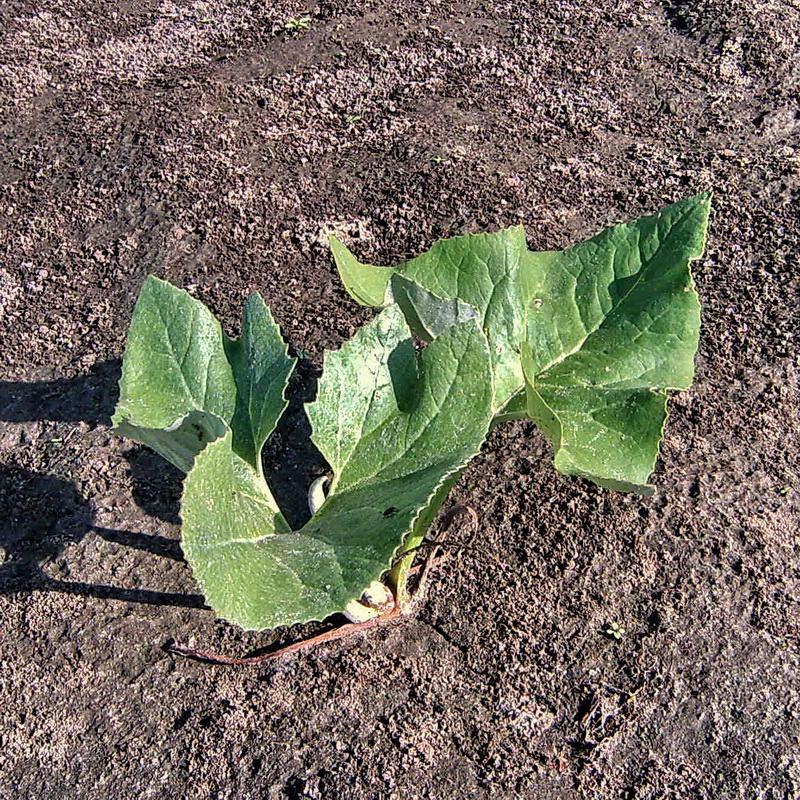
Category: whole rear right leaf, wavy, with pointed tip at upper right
[602,329]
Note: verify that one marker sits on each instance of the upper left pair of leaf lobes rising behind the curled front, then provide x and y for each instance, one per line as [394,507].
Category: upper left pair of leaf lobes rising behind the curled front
[184,382]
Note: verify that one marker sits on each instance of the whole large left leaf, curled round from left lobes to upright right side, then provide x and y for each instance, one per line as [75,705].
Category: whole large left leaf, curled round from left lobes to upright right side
[393,425]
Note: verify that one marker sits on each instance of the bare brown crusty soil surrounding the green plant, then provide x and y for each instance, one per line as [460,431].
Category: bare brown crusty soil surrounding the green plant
[205,143]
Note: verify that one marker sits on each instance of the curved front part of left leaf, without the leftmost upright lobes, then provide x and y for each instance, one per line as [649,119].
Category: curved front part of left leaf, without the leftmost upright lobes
[394,425]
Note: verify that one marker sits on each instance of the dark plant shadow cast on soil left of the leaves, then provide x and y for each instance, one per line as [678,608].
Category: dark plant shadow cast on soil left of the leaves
[44,513]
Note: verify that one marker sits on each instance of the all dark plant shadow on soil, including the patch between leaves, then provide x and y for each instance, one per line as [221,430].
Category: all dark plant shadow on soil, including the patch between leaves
[44,513]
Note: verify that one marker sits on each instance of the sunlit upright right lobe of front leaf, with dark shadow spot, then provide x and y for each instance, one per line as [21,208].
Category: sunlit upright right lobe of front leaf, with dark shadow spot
[383,411]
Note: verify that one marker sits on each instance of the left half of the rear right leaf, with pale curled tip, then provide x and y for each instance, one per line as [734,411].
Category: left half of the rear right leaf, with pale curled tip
[481,271]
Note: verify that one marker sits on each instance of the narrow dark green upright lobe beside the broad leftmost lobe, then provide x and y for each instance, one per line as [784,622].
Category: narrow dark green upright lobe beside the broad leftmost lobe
[261,369]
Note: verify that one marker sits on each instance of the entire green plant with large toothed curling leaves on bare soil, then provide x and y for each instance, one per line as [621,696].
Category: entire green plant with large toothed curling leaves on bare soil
[586,342]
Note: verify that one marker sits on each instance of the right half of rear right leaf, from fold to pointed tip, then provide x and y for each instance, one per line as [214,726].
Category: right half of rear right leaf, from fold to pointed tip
[611,324]
